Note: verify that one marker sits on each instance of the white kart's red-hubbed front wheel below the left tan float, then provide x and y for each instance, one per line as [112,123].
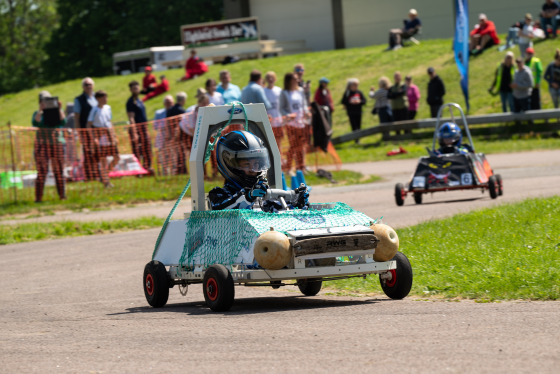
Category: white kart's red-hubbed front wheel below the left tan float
[218,288]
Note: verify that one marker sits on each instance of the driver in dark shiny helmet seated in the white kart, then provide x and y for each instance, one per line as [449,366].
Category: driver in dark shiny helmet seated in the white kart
[243,161]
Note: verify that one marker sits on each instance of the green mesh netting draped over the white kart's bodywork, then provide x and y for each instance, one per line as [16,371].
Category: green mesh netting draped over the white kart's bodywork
[227,236]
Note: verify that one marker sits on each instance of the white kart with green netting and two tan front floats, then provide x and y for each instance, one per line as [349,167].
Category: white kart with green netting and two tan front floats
[250,247]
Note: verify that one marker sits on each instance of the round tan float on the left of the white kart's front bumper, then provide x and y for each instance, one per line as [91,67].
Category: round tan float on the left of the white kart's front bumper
[272,250]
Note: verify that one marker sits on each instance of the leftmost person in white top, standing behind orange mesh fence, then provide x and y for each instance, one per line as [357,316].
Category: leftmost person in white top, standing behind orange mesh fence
[104,138]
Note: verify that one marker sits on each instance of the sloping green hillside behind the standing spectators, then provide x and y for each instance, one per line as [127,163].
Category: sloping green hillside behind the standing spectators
[368,64]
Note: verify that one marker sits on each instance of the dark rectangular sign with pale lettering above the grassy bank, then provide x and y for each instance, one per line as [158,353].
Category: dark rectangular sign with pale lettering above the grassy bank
[223,32]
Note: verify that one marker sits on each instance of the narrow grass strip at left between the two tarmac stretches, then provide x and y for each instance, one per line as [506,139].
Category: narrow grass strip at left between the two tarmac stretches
[28,232]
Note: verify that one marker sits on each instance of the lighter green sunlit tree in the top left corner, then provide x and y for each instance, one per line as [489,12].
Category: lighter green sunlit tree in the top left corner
[25,26]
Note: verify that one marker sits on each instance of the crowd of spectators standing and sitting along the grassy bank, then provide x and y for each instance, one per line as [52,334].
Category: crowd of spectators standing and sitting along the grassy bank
[289,106]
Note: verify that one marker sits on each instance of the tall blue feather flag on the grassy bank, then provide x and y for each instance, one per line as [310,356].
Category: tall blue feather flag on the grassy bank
[461,45]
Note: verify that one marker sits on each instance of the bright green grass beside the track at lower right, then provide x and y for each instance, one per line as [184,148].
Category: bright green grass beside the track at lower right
[508,252]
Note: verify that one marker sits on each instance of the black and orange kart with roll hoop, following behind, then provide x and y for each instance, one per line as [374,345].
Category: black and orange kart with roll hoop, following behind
[450,171]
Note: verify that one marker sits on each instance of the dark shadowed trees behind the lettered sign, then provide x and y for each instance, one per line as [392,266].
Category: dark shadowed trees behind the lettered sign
[90,31]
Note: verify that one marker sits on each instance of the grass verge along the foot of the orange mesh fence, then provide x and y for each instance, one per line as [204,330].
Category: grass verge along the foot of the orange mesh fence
[130,191]
